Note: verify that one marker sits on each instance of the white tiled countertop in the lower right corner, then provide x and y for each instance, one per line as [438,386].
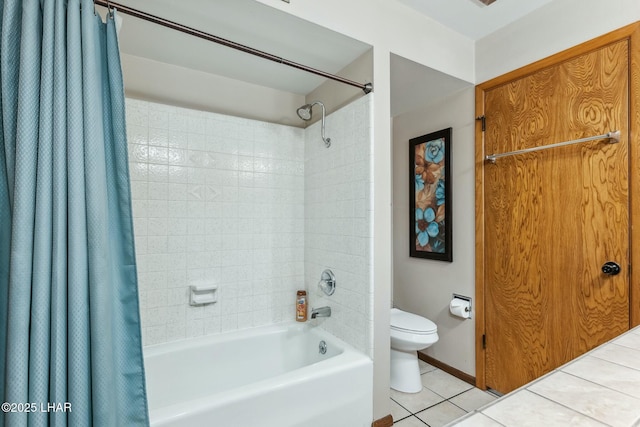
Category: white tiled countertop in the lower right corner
[600,388]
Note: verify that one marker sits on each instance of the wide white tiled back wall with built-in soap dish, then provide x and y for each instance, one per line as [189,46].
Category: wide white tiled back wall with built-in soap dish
[216,199]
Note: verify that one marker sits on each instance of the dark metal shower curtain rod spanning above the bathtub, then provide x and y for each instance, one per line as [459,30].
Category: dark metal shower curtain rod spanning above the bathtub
[367,87]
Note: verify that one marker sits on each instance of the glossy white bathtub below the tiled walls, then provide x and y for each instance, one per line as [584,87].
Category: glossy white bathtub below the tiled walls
[268,376]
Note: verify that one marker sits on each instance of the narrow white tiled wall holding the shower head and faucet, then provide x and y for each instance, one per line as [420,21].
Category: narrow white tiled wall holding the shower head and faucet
[338,213]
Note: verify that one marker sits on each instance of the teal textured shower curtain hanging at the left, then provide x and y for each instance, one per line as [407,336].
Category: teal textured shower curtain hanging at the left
[70,347]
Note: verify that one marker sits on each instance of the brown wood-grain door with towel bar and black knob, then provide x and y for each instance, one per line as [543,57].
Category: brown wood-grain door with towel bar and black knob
[554,217]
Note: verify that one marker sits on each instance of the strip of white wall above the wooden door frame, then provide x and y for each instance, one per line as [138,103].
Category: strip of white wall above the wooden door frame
[557,26]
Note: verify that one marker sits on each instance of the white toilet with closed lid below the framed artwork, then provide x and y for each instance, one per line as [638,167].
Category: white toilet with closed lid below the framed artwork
[409,333]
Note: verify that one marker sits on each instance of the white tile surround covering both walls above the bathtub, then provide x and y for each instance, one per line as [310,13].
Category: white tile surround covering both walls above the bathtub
[257,209]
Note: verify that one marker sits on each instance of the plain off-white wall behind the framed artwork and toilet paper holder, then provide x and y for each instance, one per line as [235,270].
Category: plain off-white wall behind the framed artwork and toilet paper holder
[424,286]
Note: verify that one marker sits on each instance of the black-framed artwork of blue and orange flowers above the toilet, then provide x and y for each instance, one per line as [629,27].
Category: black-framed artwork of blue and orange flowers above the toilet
[430,196]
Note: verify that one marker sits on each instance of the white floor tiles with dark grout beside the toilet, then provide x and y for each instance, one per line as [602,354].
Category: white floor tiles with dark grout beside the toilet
[443,399]
